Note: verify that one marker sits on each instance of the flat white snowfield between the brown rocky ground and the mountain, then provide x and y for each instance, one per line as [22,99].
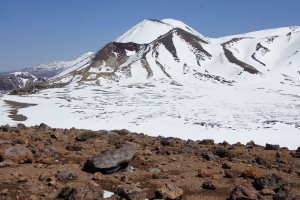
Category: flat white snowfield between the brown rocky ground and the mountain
[234,114]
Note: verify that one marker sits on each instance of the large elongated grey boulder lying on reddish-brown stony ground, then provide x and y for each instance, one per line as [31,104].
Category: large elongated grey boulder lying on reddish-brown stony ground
[112,160]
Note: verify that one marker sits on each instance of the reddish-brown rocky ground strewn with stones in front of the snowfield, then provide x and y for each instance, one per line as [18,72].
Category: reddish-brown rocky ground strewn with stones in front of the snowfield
[46,163]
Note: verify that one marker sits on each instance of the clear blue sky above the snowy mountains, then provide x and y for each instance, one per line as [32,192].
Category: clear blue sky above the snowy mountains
[39,31]
